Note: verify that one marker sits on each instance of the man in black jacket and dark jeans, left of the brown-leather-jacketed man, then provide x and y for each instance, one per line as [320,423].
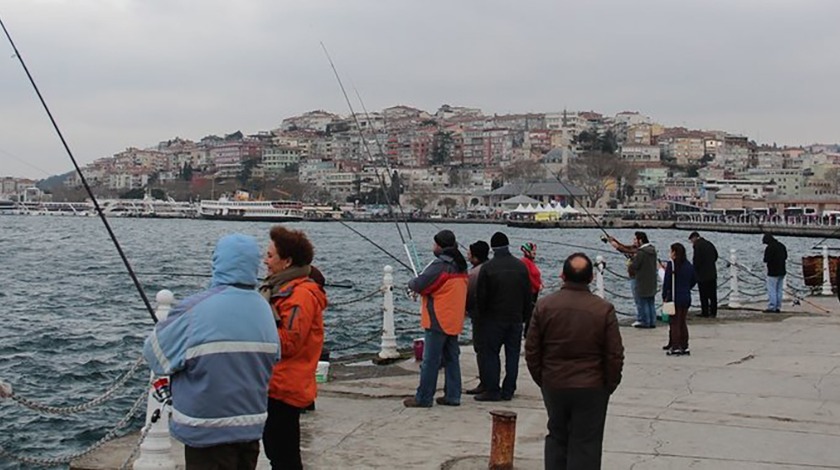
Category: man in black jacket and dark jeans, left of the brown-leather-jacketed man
[503,294]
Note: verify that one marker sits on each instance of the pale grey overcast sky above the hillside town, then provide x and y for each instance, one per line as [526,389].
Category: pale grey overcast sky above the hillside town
[120,73]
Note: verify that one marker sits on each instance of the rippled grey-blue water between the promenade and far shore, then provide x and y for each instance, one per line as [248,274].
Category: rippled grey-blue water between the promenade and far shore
[73,321]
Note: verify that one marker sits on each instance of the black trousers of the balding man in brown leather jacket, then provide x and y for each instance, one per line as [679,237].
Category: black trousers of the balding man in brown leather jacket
[576,419]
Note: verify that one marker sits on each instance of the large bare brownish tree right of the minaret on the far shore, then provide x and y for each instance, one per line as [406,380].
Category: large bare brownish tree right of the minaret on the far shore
[597,172]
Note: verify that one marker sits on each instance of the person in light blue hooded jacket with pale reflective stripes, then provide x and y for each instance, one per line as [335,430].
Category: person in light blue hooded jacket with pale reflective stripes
[219,348]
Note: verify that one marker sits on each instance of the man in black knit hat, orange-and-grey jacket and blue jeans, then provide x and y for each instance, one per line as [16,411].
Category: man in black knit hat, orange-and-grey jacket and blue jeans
[443,290]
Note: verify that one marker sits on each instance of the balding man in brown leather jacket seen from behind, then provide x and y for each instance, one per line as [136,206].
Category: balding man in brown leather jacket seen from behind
[575,354]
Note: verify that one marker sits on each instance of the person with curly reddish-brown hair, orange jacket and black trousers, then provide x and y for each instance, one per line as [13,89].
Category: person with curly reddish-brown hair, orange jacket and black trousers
[294,289]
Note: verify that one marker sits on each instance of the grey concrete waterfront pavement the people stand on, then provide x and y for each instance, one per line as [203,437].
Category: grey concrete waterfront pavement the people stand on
[760,391]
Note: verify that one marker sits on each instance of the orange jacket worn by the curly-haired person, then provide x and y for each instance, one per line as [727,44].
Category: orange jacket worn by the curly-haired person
[299,309]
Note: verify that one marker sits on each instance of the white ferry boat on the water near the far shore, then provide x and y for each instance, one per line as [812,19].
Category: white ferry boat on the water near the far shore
[256,211]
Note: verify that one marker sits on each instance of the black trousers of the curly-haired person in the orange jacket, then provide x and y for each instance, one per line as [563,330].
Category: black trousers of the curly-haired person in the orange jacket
[281,436]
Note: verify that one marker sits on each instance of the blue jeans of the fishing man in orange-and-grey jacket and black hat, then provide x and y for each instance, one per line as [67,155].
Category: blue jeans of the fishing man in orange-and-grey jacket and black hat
[439,348]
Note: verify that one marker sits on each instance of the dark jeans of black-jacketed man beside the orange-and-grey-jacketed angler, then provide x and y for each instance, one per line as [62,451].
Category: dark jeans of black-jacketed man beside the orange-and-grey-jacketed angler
[496,334]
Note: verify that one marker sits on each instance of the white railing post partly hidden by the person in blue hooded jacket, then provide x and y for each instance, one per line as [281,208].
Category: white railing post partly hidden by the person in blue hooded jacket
[156,450]
